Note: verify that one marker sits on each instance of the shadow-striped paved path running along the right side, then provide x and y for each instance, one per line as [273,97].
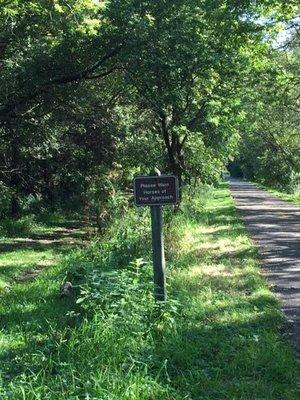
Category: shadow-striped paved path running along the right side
[275,228]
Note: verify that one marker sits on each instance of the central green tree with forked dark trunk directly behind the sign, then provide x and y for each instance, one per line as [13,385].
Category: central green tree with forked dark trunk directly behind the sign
[184,60]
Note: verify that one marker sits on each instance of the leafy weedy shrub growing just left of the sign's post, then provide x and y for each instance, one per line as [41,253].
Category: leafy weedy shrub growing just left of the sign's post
[114,274]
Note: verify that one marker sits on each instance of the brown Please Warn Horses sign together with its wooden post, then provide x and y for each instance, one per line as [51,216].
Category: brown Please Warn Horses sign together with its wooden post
[155,191]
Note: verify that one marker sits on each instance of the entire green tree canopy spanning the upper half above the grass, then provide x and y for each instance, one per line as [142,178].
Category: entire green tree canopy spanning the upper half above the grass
[89,87]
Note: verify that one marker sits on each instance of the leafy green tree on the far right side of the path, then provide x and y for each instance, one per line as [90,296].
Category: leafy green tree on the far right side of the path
[270,142]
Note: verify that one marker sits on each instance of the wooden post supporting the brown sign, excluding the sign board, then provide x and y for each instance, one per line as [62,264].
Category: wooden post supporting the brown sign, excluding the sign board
[159,267]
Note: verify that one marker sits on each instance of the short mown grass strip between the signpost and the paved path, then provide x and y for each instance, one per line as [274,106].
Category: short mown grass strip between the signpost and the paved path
[232,320]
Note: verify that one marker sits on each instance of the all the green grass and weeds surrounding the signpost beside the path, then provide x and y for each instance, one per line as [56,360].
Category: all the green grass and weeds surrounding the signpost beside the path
[219,336]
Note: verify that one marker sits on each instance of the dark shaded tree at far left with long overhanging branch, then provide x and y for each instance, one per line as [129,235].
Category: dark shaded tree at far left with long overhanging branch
[51,52]
